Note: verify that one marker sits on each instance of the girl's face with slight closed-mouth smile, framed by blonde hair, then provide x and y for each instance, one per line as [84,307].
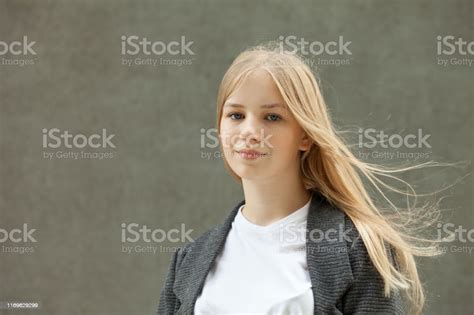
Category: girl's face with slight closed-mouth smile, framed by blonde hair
[260,137]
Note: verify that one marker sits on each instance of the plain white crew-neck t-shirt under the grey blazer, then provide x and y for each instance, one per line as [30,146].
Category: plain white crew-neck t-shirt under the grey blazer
[261,269]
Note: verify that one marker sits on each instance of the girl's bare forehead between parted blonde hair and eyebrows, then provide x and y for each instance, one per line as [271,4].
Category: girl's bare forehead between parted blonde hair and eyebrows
[257,89]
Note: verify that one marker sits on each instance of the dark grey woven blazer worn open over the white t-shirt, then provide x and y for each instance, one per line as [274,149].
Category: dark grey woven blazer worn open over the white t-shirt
[344,281]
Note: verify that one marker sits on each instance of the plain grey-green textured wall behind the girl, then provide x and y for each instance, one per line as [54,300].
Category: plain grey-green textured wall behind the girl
[156,175]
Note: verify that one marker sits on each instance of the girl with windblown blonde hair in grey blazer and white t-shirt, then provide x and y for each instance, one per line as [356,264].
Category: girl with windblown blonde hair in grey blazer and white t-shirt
[308,238]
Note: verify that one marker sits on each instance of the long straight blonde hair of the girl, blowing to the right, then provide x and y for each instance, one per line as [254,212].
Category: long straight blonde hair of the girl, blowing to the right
[333,170]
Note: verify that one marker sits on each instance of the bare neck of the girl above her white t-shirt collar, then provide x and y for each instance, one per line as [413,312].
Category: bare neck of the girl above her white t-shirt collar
[269,200]
